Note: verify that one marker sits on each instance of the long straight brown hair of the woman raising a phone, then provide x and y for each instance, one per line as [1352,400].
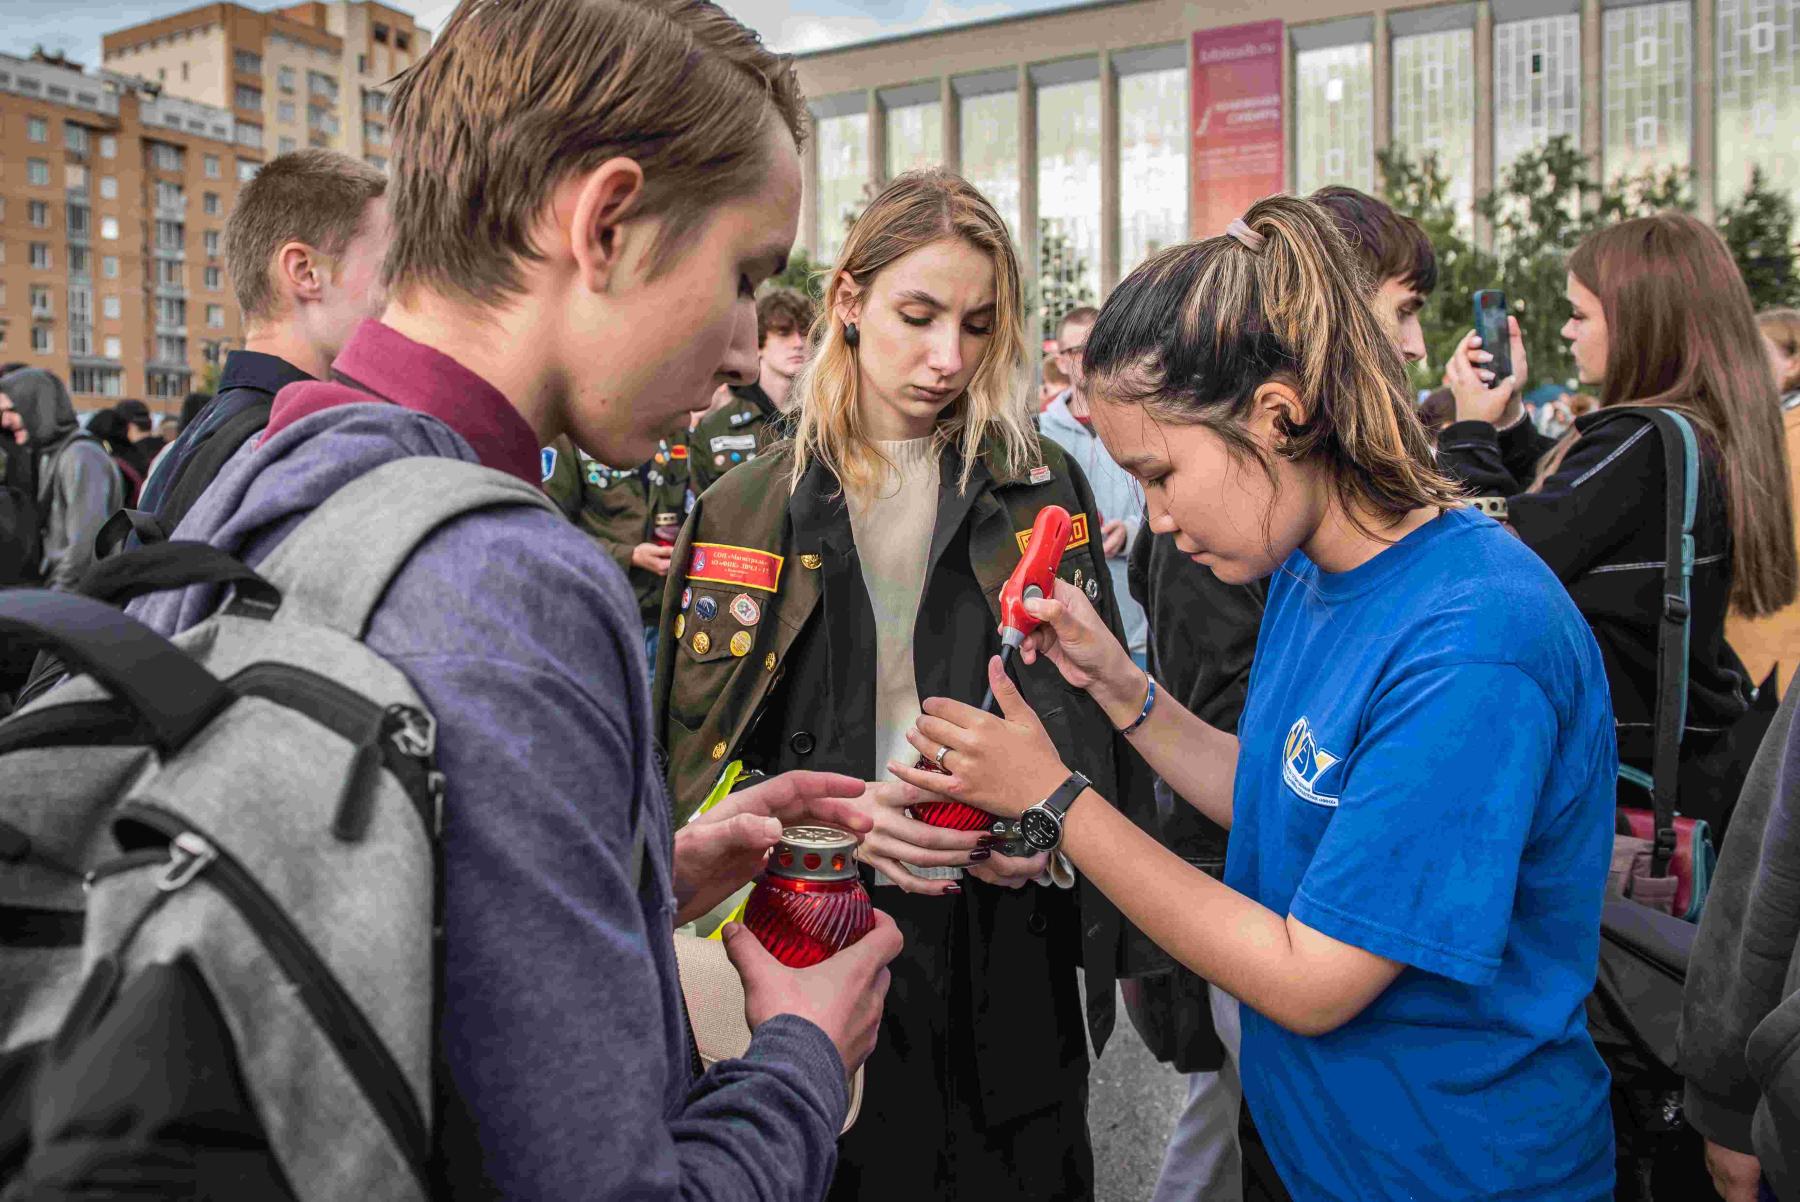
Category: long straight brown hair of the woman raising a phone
[1682,334]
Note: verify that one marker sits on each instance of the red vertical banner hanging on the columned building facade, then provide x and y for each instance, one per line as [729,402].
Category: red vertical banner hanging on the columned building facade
[1239,152]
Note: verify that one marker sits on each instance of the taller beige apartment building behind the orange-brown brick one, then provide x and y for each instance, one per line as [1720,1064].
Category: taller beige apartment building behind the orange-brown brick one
[309,75]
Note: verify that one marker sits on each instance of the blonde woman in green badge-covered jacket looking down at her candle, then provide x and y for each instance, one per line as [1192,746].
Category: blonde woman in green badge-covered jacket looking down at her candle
[831,584]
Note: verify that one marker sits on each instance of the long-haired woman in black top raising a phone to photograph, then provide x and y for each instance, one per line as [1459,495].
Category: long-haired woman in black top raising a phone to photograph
[1660,318]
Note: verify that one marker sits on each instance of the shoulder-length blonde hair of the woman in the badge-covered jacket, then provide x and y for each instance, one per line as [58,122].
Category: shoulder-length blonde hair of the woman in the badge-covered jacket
[991,417]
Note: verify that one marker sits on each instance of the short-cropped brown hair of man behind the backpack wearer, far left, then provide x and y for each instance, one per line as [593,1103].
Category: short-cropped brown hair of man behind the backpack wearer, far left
[312,197]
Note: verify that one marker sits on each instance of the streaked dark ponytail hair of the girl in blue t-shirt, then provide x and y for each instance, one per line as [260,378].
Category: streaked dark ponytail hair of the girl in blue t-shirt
[1198,330]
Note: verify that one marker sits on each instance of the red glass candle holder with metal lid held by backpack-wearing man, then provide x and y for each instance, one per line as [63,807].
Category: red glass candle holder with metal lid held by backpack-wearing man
[809,904]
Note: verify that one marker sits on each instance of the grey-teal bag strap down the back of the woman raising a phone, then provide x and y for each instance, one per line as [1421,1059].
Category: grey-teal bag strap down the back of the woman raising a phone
[1673,634]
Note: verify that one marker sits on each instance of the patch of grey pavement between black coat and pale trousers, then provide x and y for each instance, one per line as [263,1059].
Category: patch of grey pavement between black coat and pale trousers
[1133,1104]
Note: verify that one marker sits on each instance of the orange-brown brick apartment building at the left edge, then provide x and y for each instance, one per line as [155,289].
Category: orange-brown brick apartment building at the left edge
[112,217]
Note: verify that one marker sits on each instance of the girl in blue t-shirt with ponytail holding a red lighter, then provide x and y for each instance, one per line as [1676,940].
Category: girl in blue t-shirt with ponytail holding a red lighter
[1421,789]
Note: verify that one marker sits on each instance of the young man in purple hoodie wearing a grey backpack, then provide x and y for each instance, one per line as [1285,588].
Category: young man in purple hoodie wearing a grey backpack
[222,879]
